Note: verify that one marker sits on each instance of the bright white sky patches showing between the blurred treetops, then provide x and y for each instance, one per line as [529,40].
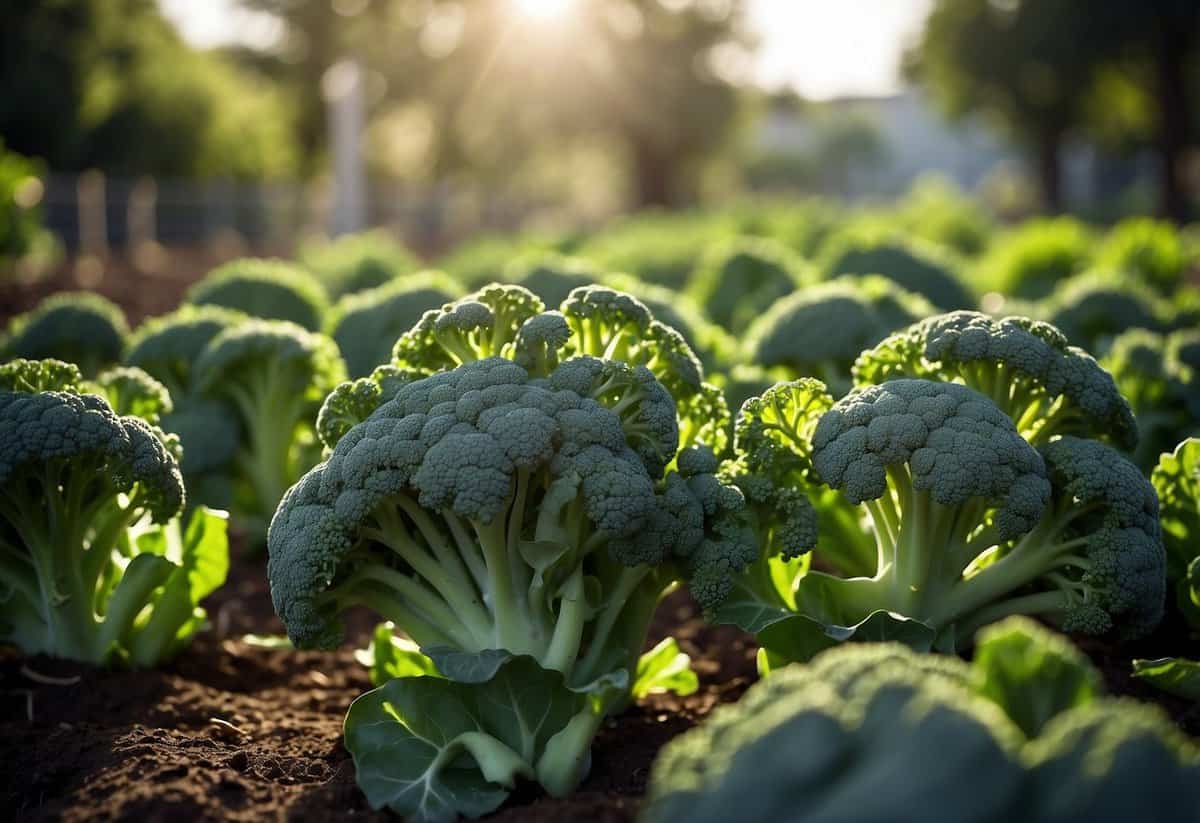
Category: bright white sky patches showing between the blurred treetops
[823,49]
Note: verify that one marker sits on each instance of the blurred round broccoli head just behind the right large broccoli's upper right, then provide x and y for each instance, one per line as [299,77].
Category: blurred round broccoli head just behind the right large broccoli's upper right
[1095,308]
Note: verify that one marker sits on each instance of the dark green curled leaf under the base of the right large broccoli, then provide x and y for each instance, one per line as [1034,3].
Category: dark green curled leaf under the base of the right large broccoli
[800,638]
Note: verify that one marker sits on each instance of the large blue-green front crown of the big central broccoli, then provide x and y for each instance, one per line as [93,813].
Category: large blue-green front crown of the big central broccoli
[455,442]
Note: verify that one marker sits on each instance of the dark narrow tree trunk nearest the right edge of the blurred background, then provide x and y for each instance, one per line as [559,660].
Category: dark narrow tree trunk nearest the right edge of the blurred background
[1174,116]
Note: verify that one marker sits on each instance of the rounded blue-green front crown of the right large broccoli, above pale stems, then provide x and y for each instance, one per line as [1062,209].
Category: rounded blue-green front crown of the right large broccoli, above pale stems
[955,443]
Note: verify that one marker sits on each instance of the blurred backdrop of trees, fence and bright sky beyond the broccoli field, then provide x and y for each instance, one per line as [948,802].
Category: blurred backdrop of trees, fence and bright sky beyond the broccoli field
[167,136]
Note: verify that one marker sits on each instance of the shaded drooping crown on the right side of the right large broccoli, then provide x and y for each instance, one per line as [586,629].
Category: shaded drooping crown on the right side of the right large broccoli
[1117,509]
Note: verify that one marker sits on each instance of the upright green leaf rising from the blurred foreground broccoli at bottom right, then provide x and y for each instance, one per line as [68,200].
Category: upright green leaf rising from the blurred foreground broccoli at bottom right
[1031,674]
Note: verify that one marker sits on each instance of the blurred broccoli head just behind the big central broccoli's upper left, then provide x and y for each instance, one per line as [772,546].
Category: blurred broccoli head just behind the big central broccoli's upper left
[367,325]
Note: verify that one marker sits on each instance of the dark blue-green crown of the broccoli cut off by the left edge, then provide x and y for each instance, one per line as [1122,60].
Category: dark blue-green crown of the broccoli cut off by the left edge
[64,428]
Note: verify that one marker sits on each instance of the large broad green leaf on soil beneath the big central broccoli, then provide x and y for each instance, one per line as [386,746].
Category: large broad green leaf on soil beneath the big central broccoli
[433,749]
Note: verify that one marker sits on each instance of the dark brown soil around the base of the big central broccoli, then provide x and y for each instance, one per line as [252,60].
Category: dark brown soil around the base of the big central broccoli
[237,732]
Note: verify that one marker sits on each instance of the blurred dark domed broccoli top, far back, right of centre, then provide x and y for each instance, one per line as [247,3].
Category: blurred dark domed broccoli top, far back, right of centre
[919,268]
